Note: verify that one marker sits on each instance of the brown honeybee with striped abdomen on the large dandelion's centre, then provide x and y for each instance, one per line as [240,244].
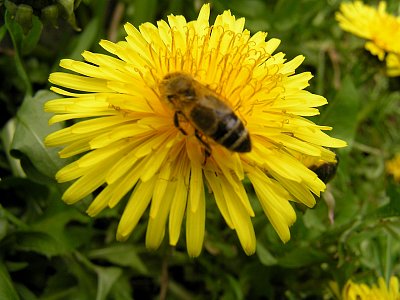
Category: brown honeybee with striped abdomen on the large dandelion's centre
[205,111]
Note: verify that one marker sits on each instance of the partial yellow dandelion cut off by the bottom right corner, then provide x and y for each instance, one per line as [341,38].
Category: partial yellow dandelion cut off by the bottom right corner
[360,291]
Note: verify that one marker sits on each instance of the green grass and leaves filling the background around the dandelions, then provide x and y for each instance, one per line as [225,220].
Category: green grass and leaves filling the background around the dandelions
[52,251]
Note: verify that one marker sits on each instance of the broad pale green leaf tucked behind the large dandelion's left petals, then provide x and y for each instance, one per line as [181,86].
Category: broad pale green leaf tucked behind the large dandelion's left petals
[31,129]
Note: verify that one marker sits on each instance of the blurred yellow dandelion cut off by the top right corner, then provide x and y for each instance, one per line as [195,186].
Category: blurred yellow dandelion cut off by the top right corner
[380,29]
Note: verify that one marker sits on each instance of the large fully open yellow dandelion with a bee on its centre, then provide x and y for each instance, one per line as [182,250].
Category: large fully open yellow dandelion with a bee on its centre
[130,143]
